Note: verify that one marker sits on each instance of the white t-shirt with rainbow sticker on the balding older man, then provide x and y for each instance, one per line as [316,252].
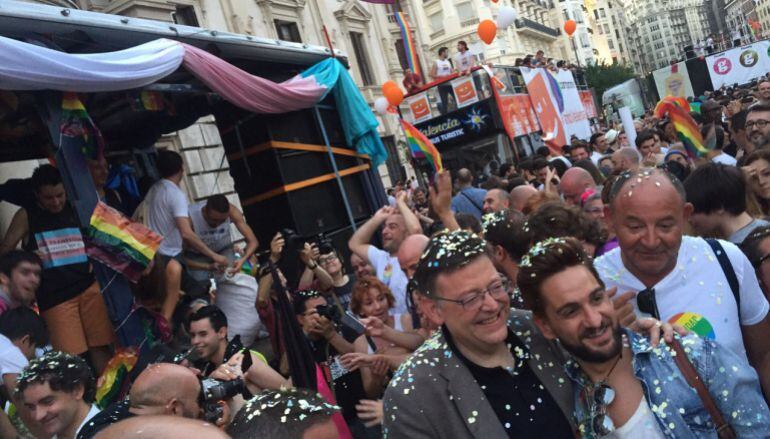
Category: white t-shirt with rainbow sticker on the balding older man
[696,293]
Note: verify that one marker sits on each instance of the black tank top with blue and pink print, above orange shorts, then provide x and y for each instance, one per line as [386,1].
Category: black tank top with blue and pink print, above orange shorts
[57,239]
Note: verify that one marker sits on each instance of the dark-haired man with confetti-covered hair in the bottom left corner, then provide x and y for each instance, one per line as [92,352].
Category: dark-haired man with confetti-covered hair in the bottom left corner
[58,389]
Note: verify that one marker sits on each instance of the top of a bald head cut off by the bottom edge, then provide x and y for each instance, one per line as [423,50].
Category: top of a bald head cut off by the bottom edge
[152,427]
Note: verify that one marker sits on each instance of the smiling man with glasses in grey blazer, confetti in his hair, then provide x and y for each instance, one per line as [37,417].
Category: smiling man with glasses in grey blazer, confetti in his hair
[476,377]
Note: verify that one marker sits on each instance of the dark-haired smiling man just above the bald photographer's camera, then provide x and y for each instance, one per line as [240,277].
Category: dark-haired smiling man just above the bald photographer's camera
[229,360]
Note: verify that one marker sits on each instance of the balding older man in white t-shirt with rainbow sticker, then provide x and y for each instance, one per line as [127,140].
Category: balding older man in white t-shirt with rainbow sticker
[707,286]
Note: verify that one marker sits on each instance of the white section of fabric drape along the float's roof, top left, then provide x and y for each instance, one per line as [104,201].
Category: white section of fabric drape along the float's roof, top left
[25,66]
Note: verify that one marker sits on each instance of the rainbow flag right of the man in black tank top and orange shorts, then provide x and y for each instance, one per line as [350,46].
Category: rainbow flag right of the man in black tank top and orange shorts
[123,245]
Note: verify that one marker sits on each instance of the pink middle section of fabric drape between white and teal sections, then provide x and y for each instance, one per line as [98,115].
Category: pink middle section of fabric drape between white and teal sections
[247,91]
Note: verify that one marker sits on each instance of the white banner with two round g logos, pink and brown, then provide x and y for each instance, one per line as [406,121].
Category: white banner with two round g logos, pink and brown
[739,65]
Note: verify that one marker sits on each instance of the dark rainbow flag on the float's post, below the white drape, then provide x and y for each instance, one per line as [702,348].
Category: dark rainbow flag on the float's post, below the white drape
[77,124]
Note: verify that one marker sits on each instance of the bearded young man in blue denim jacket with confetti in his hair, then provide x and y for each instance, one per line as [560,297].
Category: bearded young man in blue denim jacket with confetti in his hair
[625,388]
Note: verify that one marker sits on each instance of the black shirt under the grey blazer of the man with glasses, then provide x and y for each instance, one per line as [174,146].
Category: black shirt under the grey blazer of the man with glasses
[520,401]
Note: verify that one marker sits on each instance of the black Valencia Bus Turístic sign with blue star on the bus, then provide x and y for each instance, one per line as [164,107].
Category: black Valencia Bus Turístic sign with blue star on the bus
[459,127]
